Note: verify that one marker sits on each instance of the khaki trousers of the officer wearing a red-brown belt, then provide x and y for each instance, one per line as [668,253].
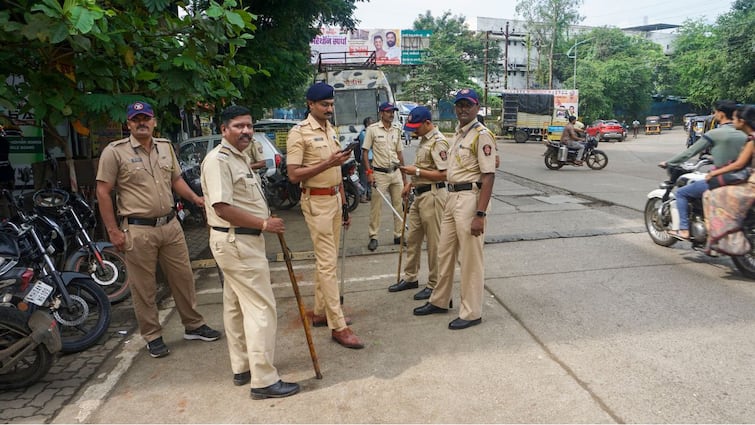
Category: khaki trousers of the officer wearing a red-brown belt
[323,217]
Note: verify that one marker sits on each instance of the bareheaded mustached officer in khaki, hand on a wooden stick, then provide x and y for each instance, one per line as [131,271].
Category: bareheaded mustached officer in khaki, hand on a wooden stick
[237,214]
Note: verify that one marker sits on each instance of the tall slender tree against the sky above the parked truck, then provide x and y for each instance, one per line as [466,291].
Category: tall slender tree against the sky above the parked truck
[549,20]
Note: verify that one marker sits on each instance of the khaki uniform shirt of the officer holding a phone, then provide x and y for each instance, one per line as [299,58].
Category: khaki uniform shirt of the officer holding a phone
[308,143]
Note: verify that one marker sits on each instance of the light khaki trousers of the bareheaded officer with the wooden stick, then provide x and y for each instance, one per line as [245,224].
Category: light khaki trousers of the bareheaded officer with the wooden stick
[249,312]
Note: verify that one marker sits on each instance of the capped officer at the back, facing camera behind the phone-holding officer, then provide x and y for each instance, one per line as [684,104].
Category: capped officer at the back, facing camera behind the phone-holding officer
[384,139]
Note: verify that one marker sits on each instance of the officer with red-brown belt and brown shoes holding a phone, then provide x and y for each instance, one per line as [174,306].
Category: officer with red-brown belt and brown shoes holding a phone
[314,158]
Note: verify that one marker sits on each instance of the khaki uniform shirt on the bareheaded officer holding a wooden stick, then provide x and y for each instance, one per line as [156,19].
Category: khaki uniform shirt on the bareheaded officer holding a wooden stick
[227,178]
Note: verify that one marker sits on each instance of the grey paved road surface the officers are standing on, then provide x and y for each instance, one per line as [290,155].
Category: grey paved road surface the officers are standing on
[585,321]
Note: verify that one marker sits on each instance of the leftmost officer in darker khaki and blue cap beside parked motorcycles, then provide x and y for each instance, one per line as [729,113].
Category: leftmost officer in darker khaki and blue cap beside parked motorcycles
[143,170]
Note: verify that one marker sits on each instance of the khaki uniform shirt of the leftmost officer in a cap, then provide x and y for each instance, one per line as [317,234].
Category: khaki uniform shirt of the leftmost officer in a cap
[143,180]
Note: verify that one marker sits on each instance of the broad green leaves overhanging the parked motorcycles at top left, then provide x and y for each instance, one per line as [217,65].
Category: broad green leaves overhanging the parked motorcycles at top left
[82,61]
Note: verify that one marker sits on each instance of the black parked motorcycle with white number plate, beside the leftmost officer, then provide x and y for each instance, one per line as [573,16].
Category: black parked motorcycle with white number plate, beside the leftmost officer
[75,300]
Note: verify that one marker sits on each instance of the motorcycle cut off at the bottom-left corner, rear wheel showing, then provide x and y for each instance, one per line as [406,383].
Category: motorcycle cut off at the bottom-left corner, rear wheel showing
[27,341]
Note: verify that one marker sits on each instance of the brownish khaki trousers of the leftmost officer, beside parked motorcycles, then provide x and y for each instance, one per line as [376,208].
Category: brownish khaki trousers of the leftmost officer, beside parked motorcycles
[145,246]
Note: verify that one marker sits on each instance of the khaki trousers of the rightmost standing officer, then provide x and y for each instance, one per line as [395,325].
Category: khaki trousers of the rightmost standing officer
[456,235]
